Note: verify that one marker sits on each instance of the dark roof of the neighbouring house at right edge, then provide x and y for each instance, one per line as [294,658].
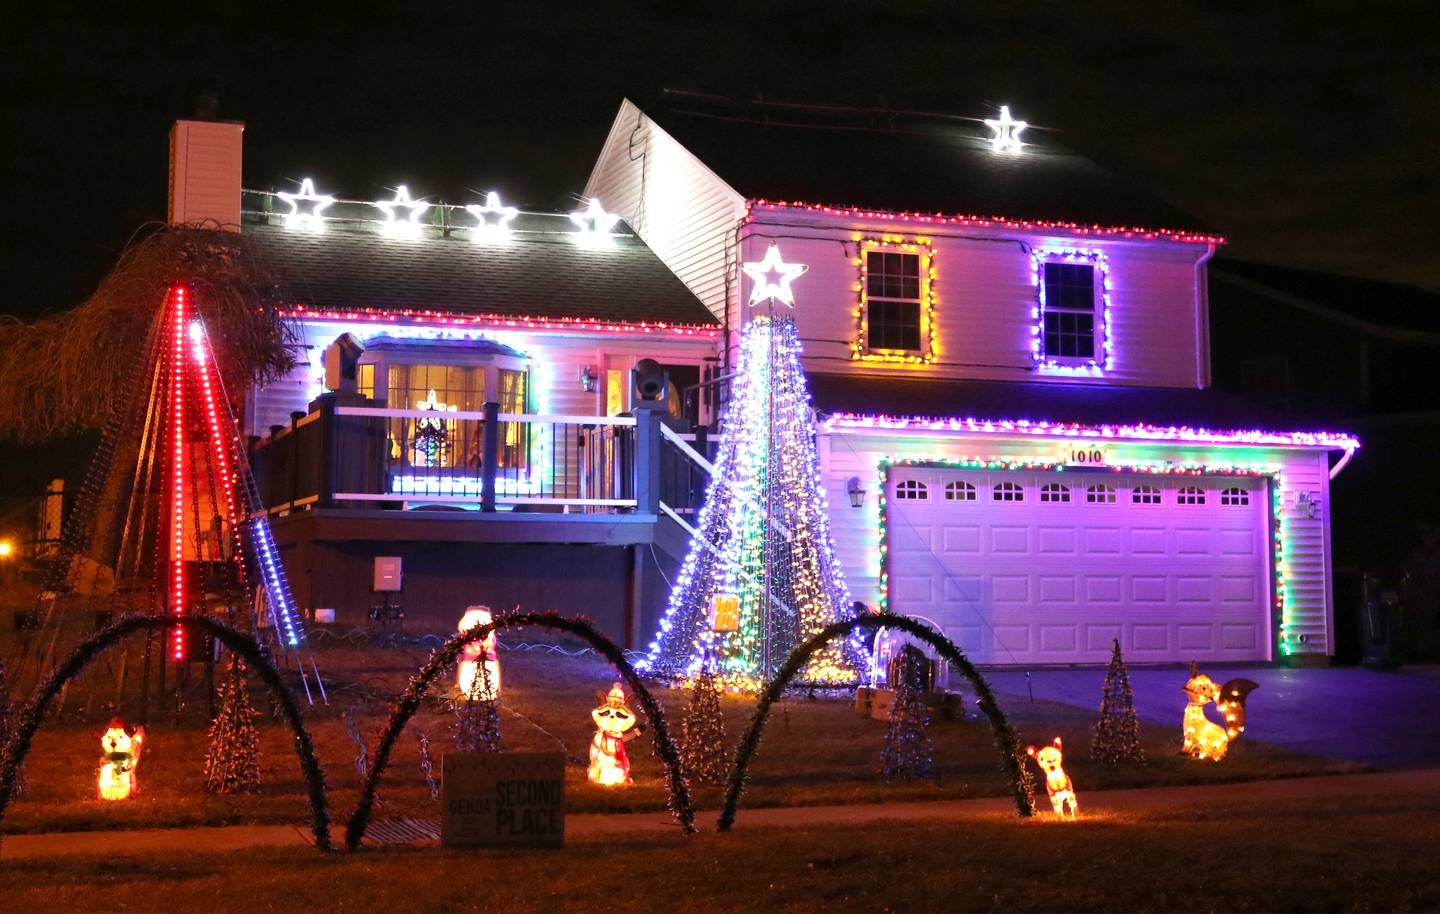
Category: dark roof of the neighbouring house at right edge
[1367,306]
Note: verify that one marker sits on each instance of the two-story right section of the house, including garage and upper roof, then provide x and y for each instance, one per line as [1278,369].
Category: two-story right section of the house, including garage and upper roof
[1009,352]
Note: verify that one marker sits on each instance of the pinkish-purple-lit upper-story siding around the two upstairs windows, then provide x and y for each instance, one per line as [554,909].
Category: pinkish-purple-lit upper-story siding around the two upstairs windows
[986,302]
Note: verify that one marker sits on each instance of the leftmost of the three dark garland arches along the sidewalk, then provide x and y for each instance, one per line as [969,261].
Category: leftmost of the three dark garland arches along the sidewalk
[237,641]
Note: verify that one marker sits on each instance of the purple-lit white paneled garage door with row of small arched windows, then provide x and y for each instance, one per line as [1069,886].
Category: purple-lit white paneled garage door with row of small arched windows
[1048,568]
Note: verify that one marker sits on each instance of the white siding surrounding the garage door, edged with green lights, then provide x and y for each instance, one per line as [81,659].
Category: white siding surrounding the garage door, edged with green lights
[856,532]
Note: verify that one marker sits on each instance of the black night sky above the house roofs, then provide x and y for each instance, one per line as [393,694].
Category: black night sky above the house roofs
[1310,139]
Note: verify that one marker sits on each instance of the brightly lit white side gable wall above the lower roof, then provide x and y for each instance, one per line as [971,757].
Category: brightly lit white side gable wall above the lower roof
[673,201]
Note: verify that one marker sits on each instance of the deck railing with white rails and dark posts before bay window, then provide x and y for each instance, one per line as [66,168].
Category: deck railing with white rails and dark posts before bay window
[359,456]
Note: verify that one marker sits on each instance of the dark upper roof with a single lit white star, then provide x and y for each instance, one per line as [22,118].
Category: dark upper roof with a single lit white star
[908,163]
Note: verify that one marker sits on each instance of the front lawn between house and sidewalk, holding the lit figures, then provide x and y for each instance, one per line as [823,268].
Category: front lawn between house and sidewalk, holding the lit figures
[814,751]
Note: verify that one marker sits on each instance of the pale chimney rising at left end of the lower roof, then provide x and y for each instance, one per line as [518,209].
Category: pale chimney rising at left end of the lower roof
[205,173]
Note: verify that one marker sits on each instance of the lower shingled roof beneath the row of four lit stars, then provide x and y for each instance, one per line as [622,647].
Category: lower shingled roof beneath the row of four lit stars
[541,273]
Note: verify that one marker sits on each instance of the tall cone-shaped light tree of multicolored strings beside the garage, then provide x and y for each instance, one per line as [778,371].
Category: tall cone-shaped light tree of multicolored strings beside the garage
[765,469]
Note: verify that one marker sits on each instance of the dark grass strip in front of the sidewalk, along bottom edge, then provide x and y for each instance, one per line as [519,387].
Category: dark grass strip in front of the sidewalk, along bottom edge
[1362,854]
